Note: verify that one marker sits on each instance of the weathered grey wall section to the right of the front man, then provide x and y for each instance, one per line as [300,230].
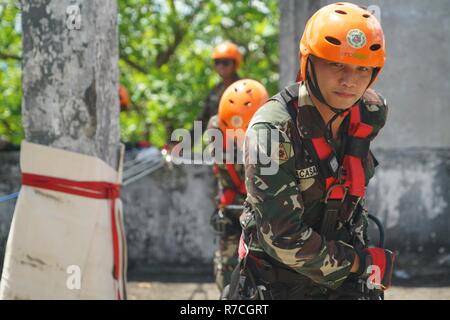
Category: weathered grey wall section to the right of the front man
[409,193]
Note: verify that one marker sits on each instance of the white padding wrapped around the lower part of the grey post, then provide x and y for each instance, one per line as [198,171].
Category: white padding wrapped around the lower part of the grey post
[60,245]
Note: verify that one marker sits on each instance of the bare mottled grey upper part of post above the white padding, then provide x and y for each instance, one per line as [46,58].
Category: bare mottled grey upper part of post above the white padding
[70,76]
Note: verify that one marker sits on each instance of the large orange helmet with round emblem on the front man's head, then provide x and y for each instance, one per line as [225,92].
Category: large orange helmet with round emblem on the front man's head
[346,33]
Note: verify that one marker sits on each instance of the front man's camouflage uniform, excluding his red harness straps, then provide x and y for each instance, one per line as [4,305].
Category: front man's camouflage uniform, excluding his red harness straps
[284,211]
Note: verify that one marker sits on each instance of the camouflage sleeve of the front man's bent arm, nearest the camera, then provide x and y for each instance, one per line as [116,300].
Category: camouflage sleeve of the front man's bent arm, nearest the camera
[278,207]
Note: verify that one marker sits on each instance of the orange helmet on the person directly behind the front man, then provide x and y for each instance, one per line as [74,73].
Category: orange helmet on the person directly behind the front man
[239,102]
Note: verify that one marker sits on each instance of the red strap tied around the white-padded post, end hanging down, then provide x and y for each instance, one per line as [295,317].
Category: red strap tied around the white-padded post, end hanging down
[89,189]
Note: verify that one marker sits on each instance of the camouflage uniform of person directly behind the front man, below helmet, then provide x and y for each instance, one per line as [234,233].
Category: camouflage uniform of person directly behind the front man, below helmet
[225,257]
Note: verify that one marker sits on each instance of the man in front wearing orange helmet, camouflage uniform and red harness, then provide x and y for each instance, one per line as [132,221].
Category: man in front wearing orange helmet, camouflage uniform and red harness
[305,227]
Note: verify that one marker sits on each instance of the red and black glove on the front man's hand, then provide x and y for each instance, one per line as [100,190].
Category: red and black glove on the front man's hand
[377,266]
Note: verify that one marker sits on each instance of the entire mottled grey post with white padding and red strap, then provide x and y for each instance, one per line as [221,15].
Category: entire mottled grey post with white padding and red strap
[66,242]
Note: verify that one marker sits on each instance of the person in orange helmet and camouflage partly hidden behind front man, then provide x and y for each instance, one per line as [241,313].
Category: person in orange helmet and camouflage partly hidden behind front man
[237,106]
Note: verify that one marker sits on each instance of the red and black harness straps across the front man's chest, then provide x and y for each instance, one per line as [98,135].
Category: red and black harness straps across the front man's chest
[345,180]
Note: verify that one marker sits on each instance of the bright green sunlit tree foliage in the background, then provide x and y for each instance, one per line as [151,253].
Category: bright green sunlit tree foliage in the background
[165,63]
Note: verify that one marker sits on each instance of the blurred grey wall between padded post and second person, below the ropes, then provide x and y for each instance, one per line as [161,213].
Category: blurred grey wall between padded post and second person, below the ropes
[167,219]
